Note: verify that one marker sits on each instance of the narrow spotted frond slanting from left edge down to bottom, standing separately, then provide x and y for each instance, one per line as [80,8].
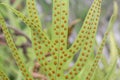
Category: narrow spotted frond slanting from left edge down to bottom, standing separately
[14,50]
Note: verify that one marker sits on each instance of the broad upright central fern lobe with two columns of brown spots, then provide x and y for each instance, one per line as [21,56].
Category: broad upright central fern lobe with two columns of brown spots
[60,32]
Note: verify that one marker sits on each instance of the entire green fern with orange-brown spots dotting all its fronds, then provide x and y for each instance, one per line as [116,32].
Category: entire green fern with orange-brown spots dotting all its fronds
[55,66]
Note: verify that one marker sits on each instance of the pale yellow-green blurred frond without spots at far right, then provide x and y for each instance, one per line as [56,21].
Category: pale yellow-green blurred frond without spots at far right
[114,57]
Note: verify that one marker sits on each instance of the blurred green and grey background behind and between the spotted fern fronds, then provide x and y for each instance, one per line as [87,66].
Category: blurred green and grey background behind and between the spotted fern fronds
[77,12]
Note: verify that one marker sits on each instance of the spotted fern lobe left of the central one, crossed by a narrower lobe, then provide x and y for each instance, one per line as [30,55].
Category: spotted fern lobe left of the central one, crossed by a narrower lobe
[38,43]
